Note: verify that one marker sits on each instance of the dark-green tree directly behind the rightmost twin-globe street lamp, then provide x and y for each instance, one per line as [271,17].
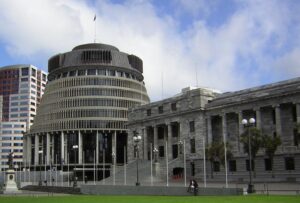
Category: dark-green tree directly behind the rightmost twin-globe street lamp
[256,141]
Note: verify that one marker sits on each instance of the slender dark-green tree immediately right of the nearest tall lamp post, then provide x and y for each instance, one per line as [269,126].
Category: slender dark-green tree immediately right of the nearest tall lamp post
[271,144]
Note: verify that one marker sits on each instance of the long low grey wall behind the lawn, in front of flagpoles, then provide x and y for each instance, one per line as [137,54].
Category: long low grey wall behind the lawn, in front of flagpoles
[154,190]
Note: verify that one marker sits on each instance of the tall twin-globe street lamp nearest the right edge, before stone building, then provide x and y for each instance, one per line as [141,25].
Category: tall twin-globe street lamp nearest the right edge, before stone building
[248,124]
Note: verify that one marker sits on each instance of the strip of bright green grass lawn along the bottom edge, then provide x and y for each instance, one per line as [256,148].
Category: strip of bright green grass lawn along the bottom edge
[152,199]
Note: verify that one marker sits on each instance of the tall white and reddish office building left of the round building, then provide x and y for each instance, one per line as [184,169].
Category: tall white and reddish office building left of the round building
[21,89]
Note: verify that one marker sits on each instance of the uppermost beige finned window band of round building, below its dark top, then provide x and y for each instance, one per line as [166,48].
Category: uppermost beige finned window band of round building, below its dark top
[97,82]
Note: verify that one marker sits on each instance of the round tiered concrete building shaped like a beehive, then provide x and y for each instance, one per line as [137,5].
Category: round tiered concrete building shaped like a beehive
[82,116]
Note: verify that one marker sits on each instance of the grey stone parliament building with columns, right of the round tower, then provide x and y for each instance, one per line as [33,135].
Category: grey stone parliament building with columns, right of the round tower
[197,116]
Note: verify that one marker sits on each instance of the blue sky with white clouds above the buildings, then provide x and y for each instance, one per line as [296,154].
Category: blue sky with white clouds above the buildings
[222,44]
